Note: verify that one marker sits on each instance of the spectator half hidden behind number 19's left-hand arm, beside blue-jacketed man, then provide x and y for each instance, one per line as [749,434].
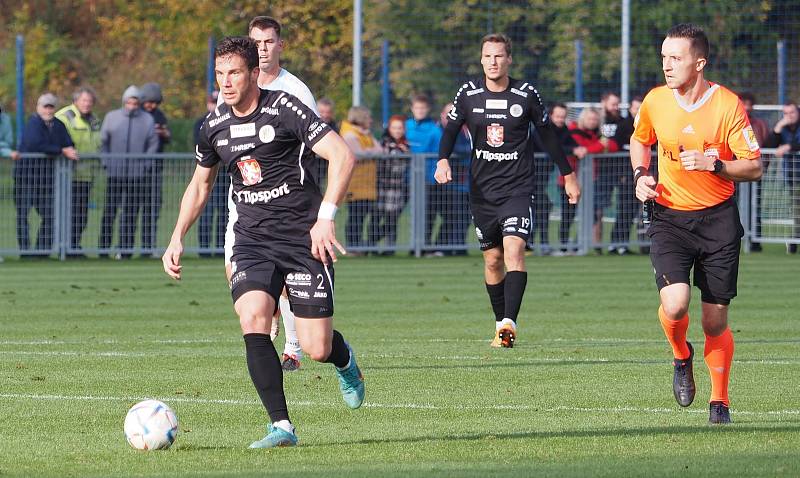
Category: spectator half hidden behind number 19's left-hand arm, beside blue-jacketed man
[455,205]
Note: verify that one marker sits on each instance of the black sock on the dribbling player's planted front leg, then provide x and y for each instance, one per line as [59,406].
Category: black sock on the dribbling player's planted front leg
[267,374]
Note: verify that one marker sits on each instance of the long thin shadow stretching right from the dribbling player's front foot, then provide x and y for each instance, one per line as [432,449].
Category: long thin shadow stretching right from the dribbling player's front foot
[609,433]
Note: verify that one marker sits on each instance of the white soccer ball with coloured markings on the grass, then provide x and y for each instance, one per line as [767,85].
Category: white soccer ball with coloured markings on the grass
[151,425]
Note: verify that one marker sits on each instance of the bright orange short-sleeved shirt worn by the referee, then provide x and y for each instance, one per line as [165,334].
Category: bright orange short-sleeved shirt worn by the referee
[717,125]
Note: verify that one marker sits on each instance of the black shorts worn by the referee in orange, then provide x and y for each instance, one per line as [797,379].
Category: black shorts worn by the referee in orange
[708,240]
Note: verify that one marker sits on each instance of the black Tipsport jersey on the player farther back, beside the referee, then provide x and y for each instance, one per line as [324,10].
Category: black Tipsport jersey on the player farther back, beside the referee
[499,127]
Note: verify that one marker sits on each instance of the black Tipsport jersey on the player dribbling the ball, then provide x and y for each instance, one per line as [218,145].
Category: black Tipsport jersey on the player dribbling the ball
[265,154]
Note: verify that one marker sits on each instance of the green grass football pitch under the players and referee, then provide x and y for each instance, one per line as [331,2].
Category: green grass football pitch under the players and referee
[586,392]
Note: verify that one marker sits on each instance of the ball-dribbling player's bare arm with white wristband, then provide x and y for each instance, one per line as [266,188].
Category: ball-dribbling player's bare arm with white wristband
[341,161]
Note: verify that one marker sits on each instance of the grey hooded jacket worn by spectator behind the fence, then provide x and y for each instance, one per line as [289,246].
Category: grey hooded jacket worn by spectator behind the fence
[126,131]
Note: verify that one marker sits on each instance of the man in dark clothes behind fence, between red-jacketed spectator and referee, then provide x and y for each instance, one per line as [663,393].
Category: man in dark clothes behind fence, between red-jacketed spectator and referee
[615,174]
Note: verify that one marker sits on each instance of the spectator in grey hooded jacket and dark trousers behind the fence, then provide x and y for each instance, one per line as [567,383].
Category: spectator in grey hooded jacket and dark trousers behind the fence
[124,131]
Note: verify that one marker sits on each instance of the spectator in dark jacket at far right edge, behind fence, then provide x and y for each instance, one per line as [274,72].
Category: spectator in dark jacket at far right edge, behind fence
[786,137]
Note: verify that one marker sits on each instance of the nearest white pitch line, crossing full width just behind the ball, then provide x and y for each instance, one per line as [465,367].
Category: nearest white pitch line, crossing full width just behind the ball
[403,406]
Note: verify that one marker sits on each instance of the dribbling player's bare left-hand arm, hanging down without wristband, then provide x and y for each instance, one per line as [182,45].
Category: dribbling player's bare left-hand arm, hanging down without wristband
[192,204]
